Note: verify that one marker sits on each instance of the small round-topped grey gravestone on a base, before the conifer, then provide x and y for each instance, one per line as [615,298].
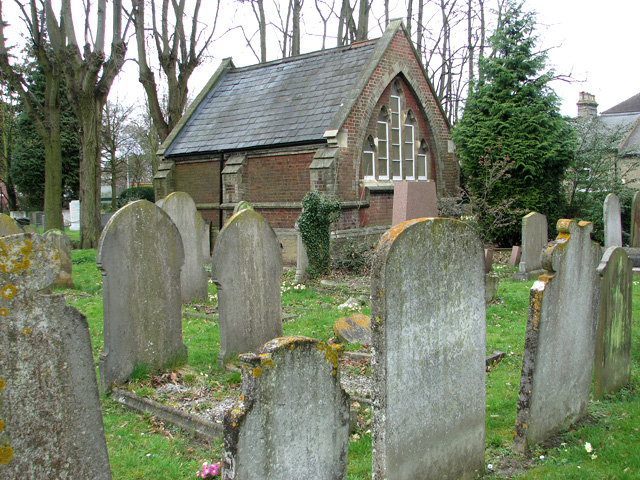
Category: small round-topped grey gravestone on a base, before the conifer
[534,238]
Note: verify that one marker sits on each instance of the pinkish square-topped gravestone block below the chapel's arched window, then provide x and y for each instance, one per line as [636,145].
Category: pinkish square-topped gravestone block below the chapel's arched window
[414,200]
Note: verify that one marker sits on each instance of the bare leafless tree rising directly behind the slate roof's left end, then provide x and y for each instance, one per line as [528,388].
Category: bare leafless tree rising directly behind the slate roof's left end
[179,50]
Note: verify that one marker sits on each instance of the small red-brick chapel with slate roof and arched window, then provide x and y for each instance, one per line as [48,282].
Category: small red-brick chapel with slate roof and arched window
[348,121]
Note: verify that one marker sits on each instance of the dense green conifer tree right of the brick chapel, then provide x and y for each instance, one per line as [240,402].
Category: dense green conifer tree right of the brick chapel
[512,117]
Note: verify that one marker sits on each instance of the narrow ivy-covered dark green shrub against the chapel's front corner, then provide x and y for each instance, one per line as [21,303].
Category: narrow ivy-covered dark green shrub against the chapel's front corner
[318,213]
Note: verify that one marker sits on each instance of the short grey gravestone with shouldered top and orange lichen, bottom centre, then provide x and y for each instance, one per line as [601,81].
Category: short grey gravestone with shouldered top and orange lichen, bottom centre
[292,421]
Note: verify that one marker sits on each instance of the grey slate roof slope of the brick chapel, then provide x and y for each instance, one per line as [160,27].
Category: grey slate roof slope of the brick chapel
[290,101]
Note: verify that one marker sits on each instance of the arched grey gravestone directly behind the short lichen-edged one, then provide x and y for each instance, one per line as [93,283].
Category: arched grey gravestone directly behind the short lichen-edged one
[247,261]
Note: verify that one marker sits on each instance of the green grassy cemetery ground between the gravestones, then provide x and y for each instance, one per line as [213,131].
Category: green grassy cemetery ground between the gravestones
[604,445]
